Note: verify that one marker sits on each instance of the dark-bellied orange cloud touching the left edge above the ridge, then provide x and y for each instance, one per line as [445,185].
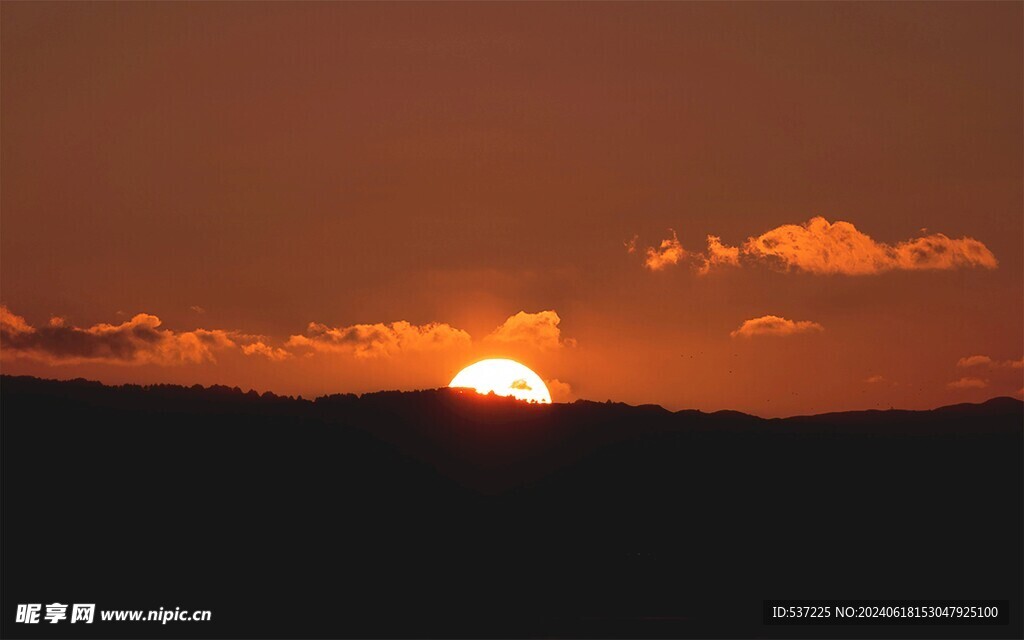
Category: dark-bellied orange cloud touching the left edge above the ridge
[139,342]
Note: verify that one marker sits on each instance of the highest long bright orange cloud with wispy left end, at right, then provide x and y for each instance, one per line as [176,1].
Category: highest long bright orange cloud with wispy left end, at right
[826,248]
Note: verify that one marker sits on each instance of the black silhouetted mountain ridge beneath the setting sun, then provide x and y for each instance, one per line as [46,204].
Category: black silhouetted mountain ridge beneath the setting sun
[439,515]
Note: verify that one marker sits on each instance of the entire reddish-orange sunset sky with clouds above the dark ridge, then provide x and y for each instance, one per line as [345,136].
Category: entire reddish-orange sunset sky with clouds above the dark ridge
[357,197]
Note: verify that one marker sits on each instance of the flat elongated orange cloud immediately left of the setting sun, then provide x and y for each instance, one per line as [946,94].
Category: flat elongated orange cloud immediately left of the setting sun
[380,340]
